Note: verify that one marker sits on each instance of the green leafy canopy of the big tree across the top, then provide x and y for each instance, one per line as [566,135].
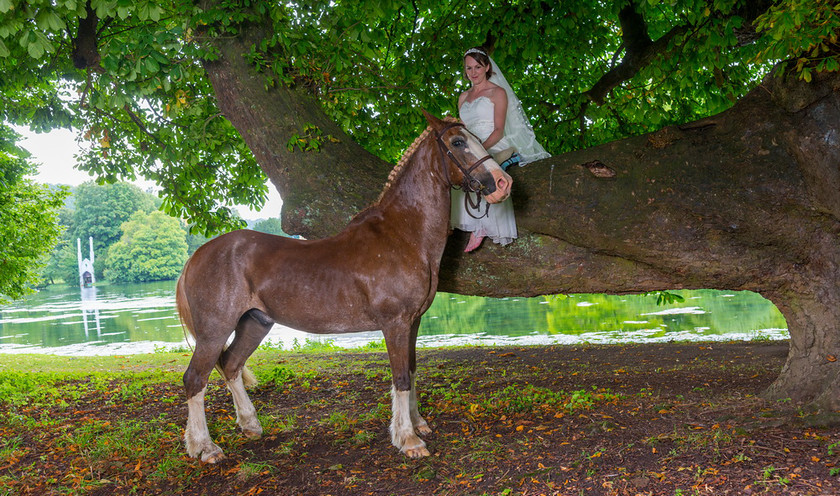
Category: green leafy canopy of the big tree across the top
[131,76]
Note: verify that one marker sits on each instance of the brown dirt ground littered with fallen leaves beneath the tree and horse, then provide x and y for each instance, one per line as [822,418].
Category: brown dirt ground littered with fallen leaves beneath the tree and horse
[665,419]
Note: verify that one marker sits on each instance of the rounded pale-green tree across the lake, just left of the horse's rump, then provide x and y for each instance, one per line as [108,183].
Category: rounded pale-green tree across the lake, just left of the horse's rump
[152,248]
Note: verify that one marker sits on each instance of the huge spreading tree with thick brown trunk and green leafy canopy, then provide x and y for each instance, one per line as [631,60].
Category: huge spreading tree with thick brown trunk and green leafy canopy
[679,160]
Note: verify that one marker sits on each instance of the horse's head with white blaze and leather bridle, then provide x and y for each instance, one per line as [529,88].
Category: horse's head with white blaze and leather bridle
[467,162]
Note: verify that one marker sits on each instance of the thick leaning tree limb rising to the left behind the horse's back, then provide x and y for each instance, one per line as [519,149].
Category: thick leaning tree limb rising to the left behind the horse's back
[321,190]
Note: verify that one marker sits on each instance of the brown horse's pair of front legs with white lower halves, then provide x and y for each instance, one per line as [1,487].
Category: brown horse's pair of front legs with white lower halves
[403,397]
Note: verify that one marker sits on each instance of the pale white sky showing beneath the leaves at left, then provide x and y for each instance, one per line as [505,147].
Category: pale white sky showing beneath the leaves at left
[53,152]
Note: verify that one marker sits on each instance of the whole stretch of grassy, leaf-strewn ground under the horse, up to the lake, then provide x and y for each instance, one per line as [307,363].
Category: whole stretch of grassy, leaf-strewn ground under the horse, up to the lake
[502,423]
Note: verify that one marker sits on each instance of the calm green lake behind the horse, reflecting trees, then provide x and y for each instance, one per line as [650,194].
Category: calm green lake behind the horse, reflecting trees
[141,318]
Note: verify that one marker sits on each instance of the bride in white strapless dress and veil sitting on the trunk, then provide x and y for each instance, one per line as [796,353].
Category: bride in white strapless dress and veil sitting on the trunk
[492,112]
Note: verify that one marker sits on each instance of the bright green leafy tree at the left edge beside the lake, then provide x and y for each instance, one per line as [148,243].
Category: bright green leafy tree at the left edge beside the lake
[28,220]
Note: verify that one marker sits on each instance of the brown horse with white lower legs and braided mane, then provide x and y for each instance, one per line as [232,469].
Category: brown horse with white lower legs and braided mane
[380,272]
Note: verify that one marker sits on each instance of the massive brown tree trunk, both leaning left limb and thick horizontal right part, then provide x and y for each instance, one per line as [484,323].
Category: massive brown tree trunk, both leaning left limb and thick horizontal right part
[745,200]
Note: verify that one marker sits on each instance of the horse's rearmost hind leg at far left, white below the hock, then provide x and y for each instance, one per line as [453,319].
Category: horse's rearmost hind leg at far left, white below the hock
[197,436]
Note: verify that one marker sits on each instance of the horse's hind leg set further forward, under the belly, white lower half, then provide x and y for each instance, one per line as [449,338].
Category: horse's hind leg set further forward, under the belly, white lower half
[250,331]
